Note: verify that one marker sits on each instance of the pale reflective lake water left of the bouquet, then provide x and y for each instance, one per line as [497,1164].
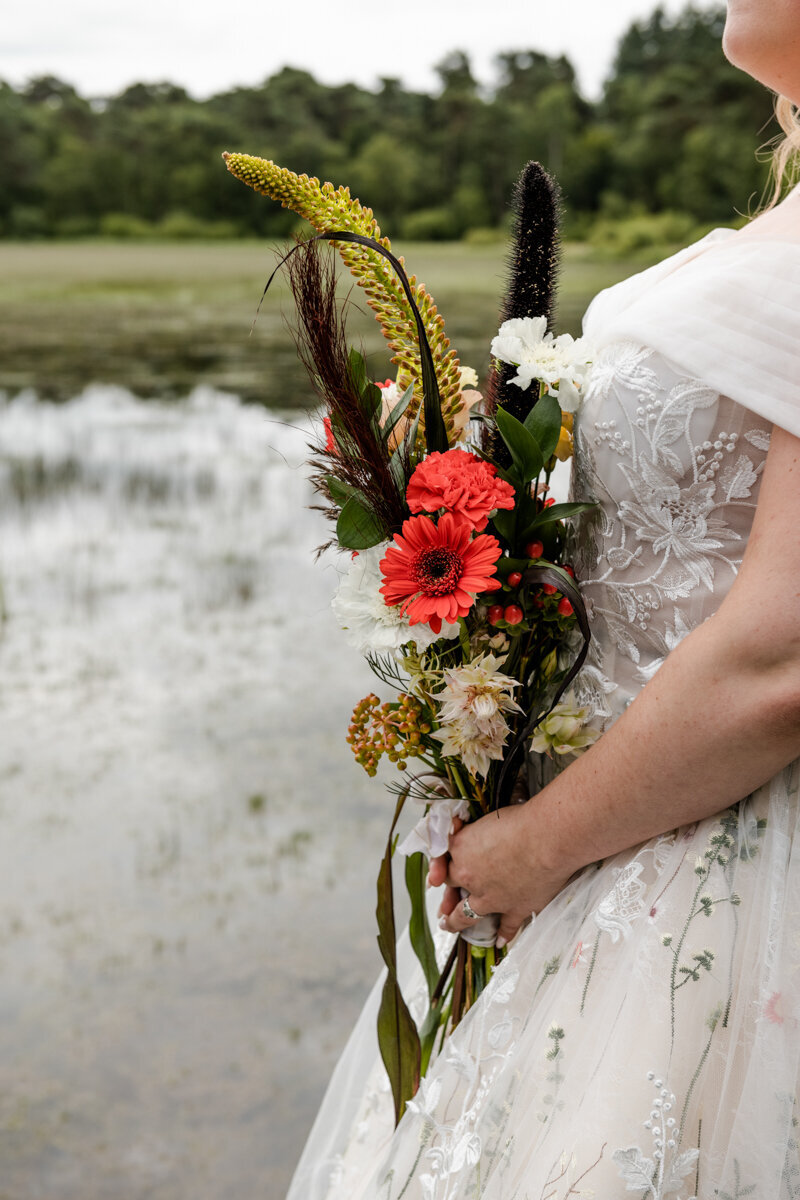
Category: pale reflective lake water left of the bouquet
[189,850]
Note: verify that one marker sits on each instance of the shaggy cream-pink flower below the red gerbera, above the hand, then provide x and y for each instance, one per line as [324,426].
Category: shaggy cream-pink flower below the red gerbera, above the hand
[473,707]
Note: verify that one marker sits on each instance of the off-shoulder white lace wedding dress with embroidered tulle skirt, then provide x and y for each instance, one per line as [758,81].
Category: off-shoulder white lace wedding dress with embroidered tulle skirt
[642,1037]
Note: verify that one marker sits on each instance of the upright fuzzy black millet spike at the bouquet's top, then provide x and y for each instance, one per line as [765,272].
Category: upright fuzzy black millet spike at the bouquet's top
[533,271]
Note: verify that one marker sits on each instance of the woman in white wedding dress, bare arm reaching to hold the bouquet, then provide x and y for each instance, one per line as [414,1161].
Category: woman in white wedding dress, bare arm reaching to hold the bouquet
[643,1034]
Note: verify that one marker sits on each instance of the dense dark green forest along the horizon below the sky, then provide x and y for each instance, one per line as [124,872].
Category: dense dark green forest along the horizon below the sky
[676,130]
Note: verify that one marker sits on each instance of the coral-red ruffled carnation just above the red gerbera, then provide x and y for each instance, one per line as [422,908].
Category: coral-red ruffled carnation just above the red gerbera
[460,483]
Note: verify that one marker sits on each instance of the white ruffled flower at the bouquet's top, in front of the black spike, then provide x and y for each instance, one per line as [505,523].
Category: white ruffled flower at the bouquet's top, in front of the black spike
[562,363]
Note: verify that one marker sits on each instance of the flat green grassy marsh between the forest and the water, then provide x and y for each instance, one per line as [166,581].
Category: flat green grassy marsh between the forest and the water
[160,319]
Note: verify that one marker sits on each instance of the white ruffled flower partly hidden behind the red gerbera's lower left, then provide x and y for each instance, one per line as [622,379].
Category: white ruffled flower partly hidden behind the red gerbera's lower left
[372,626]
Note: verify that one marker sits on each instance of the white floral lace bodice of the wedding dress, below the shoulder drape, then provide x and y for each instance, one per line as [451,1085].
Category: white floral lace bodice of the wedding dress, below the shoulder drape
[676,471]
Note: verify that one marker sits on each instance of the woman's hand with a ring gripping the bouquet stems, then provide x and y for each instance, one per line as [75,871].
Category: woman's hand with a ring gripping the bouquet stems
[502,861]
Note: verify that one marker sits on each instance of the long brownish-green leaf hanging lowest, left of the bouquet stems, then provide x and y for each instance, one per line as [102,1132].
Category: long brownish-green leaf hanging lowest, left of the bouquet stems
[398,1036]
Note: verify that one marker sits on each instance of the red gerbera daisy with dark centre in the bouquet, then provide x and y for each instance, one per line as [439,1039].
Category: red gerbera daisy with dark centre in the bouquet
[434,572]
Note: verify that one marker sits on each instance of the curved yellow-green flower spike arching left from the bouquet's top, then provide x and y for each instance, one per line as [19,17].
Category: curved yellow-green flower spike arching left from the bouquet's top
[330,208]
